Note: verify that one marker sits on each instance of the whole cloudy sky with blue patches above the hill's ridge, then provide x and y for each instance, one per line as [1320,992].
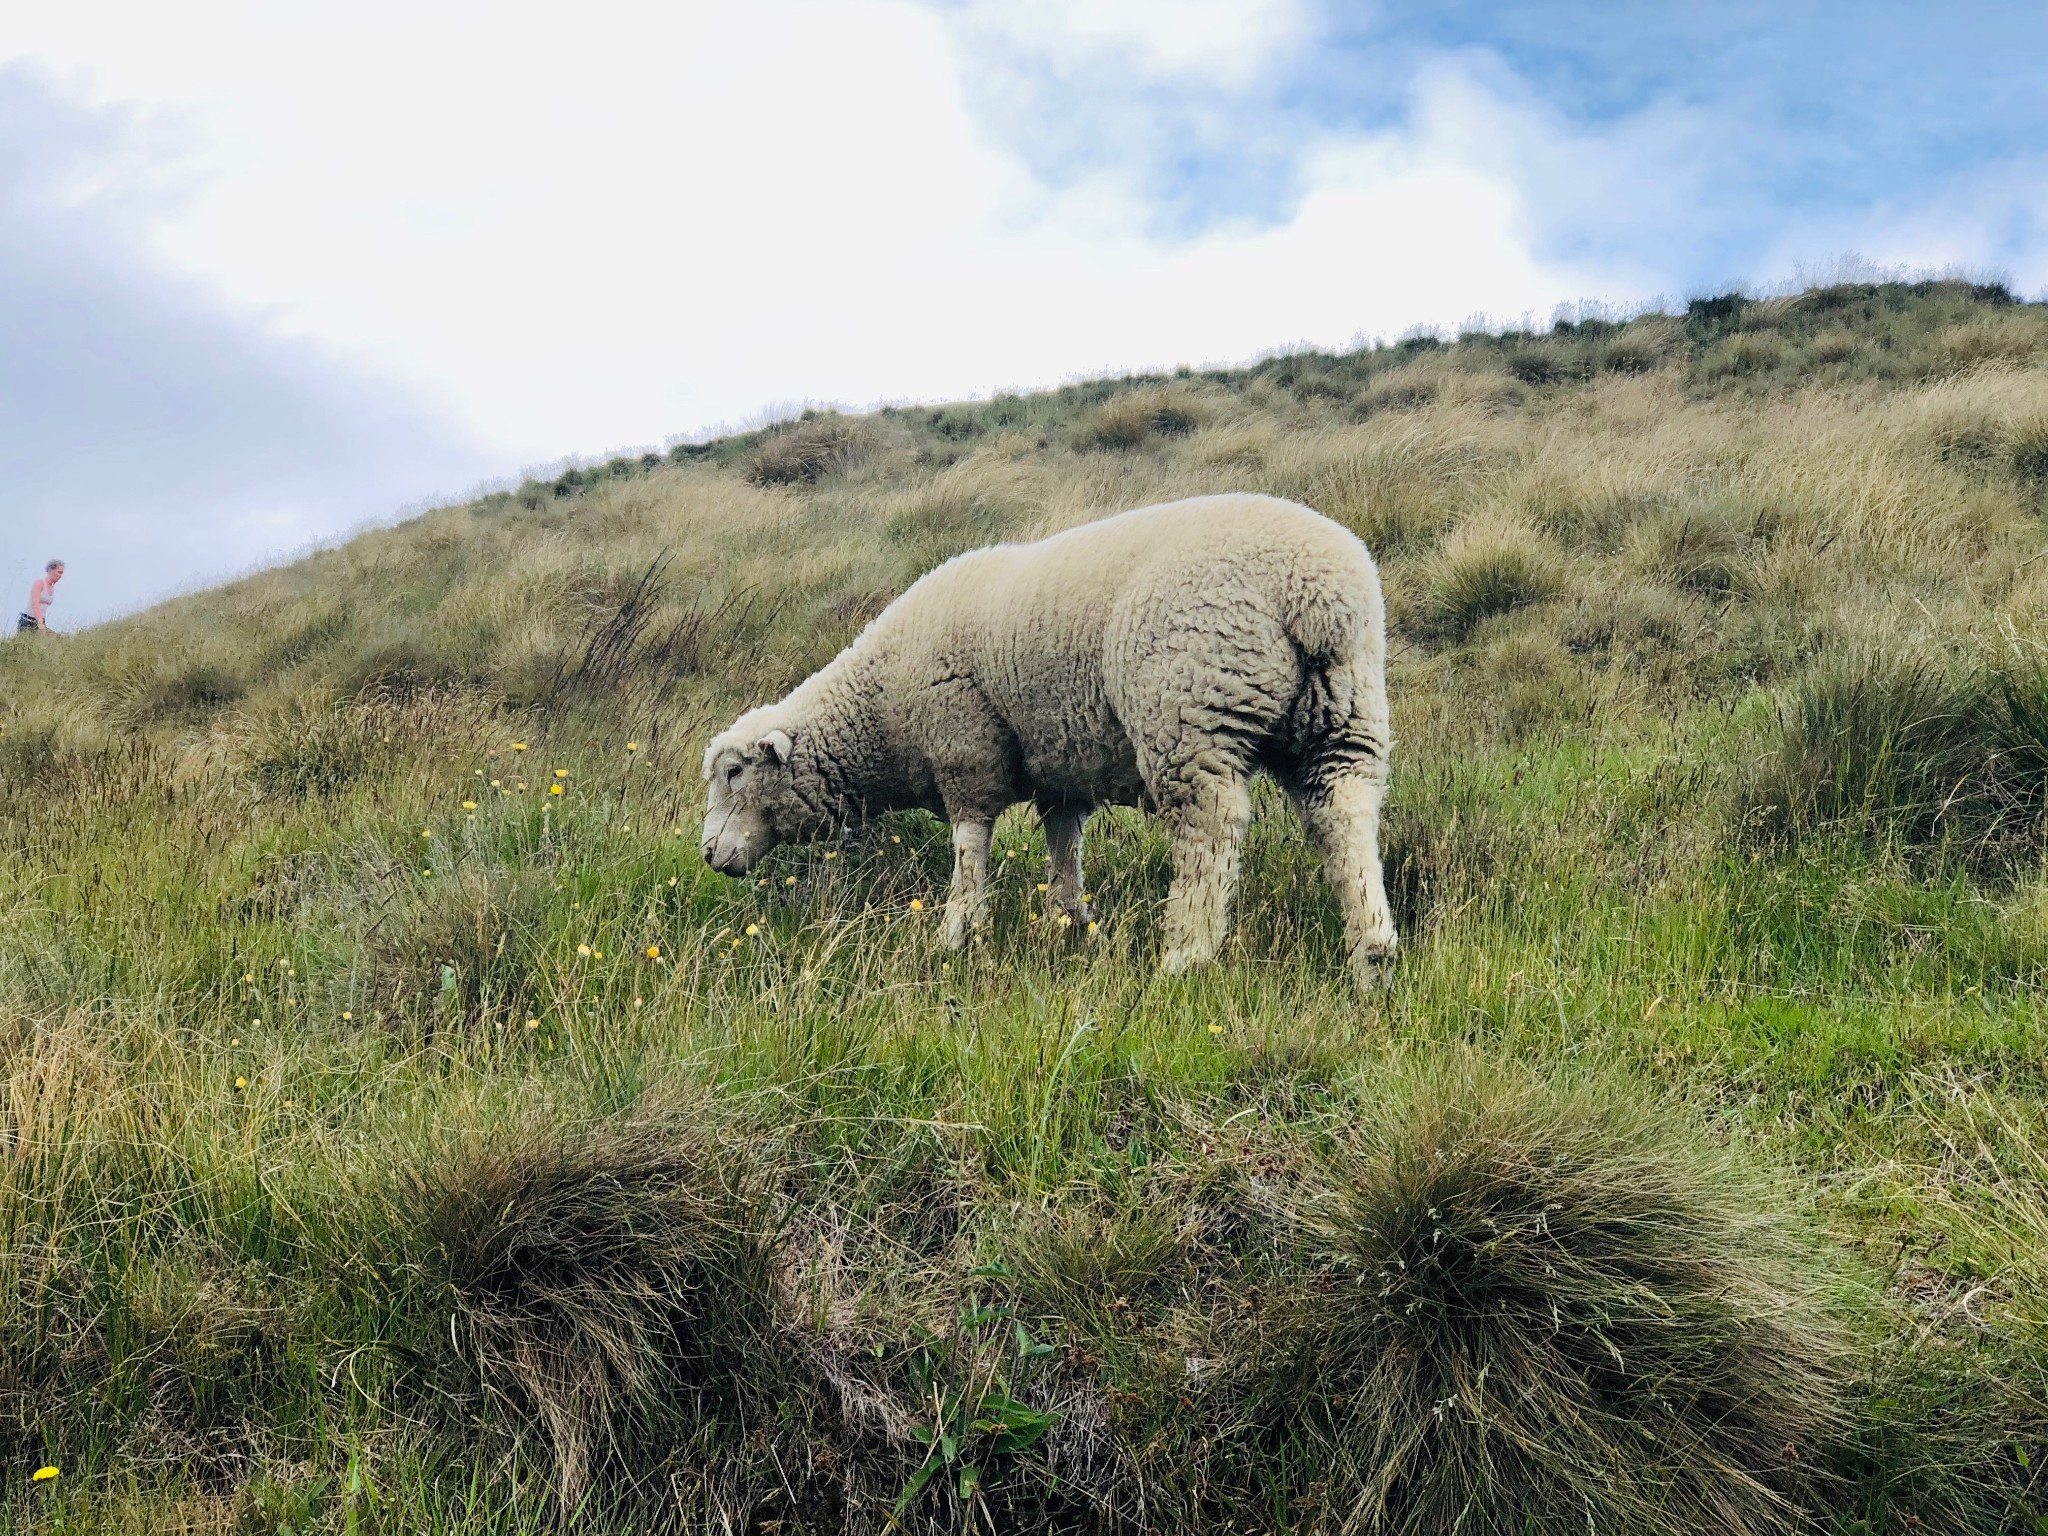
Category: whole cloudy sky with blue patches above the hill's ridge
[273,271]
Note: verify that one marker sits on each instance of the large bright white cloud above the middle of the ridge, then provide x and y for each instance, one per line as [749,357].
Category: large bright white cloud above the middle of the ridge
[595,228]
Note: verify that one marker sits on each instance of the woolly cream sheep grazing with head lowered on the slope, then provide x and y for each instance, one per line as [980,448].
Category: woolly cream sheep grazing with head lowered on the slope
[1156,658]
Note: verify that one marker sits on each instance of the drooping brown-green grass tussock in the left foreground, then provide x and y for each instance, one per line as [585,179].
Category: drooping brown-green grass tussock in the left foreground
[601,1287]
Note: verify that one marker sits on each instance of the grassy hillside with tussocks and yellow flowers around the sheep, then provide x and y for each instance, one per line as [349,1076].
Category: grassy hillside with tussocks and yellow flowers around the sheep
[400,1129]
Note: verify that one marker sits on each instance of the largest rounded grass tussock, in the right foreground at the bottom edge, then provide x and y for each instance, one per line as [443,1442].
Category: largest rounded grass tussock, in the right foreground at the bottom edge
[1539,1310]
